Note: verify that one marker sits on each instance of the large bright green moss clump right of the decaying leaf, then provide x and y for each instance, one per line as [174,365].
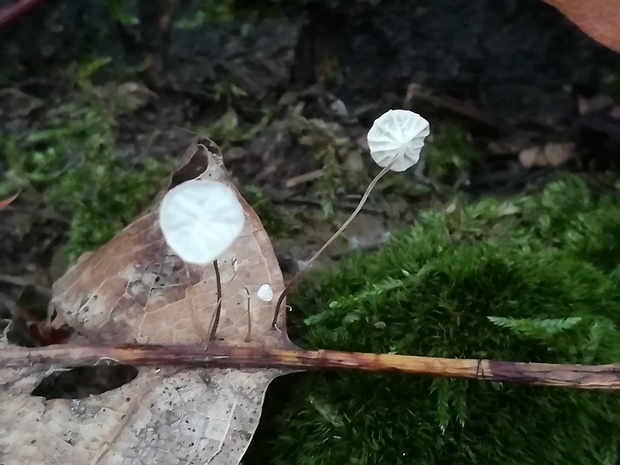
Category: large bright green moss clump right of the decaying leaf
[530,280]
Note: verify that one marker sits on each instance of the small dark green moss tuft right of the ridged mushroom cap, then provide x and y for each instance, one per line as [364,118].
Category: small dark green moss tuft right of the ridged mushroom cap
[451,155]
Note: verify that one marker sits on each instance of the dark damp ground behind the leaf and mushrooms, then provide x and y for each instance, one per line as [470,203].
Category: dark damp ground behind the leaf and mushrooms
[289,100]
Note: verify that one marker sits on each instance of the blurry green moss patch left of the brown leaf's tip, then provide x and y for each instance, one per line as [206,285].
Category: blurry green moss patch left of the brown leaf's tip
[73,169]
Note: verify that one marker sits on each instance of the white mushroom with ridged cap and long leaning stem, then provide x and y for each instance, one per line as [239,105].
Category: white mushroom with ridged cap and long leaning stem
[395,141]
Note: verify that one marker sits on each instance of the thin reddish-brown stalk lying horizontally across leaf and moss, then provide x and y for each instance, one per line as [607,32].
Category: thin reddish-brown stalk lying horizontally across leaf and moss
[536,374]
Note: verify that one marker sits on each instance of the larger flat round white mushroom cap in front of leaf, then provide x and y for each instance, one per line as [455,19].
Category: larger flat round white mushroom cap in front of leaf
[200,219]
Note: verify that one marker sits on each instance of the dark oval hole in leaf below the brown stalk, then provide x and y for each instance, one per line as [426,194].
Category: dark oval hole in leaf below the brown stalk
[81,382]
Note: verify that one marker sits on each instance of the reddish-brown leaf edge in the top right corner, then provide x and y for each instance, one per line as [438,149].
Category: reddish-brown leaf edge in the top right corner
[600,19]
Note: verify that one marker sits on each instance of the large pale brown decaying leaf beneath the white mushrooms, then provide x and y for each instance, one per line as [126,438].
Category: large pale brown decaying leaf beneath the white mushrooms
[135,290]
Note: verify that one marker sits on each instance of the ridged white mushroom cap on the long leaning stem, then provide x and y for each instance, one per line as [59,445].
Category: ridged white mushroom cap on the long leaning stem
[400,134]
